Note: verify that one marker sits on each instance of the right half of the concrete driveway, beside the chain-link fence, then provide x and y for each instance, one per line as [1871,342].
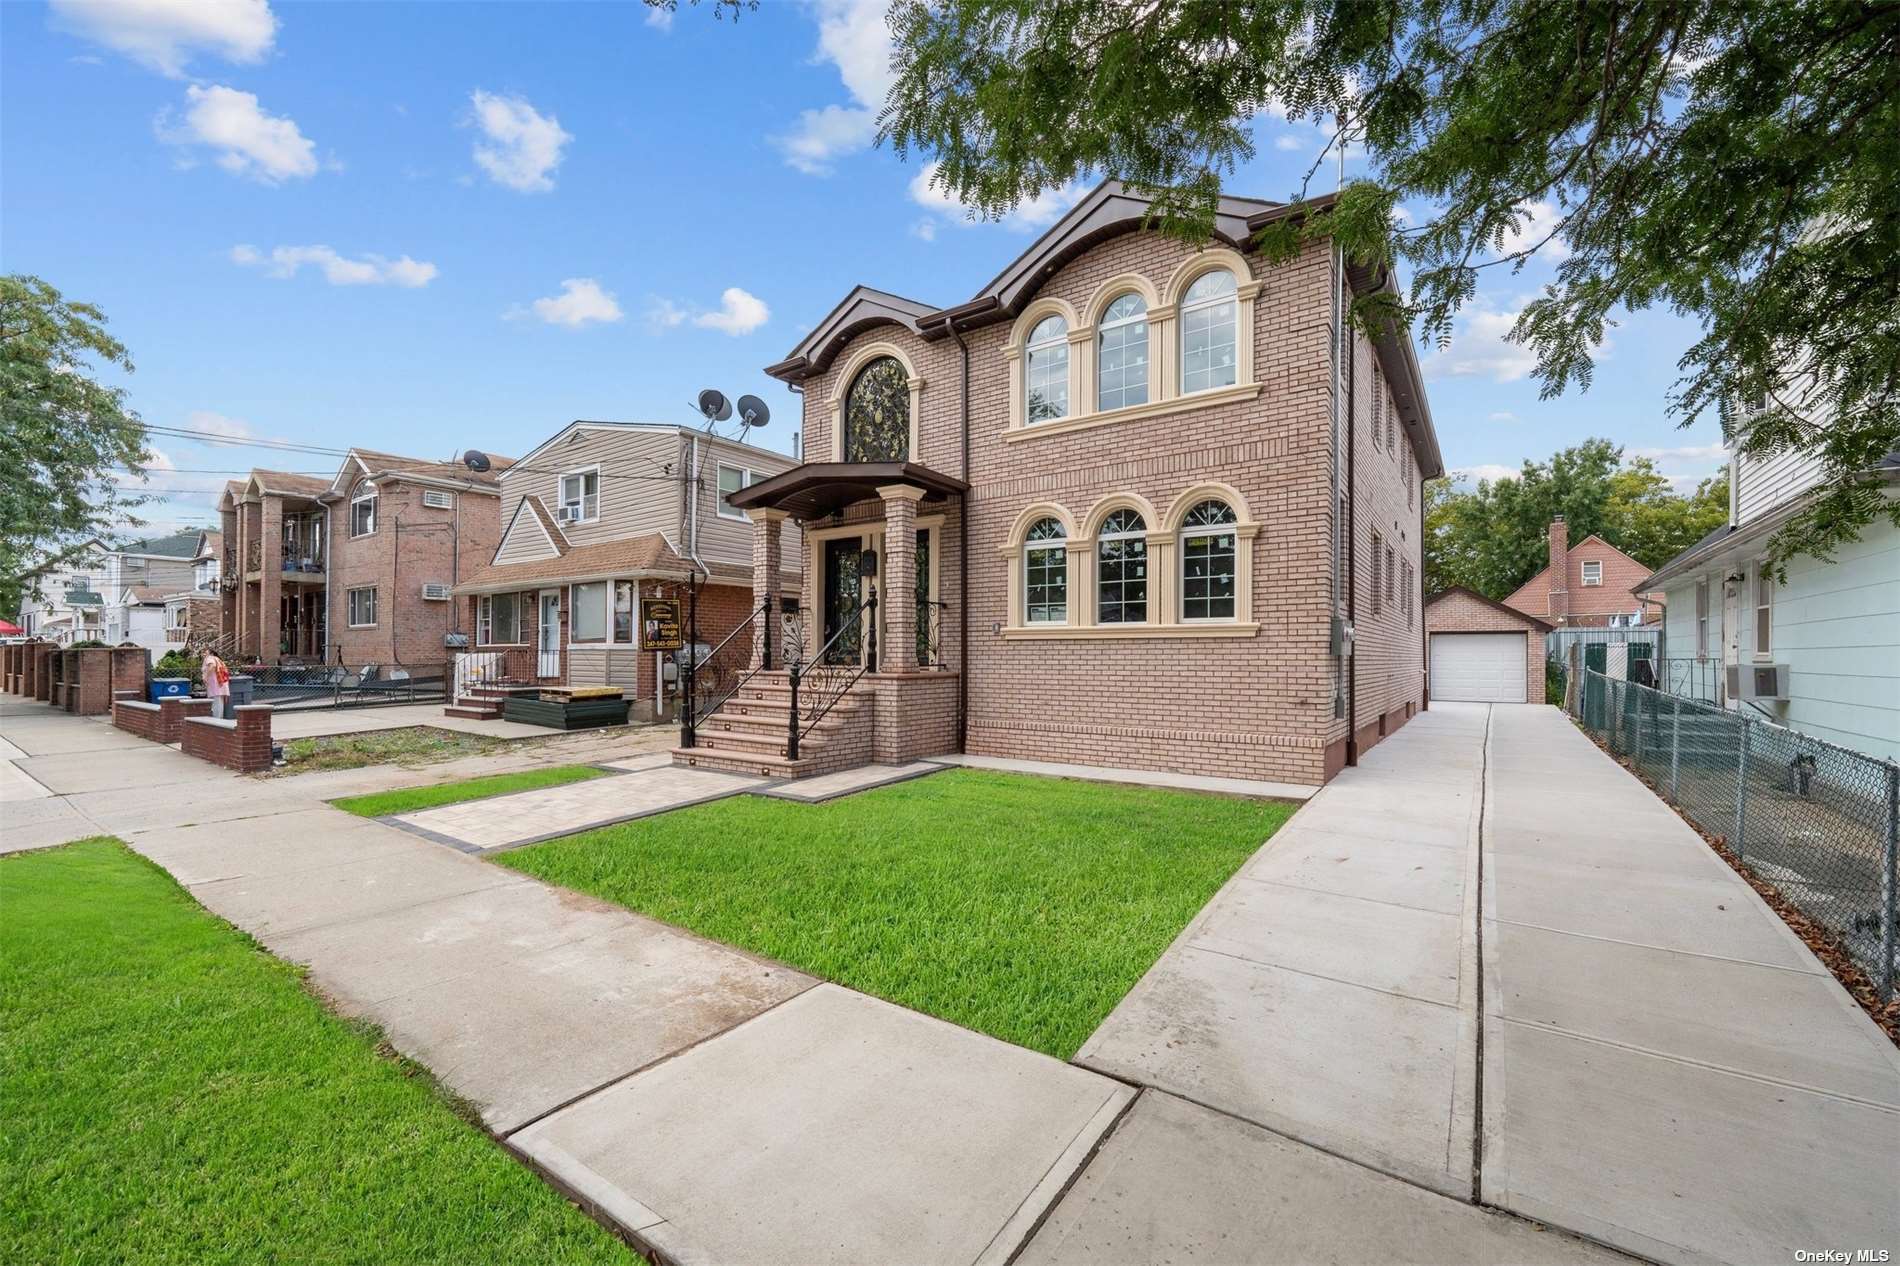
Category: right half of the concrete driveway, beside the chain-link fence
[1667,1067]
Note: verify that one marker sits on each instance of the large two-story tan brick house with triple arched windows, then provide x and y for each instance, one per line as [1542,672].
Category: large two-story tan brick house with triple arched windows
[1143,503]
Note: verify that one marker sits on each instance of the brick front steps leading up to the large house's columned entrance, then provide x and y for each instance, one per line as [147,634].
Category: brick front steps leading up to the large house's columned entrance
[750,733]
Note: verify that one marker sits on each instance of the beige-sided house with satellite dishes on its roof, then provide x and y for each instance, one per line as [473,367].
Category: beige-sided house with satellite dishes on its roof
[596,520]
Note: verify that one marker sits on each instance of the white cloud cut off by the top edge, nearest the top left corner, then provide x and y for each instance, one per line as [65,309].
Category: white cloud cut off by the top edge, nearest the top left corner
[164,35]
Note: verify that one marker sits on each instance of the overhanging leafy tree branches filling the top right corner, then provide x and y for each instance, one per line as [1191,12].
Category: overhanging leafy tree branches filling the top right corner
[1734,161]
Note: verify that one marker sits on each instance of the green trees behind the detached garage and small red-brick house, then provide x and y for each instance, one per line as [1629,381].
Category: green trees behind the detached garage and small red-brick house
[1496,537]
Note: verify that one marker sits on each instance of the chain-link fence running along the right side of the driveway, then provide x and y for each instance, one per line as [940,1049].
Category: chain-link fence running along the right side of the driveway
[1821,824]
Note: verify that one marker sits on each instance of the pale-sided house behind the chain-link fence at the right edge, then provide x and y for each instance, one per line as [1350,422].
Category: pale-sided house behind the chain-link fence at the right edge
[1834,626]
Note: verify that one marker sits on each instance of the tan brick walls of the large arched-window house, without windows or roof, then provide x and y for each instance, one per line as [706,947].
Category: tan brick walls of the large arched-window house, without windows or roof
[1253,697]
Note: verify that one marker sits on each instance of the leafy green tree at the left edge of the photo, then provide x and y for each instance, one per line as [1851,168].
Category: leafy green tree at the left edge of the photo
[64,436]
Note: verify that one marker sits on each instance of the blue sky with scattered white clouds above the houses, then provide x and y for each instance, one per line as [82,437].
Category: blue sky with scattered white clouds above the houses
[432,227]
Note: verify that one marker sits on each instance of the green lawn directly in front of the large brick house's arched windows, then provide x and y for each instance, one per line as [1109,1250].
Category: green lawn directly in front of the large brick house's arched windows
[1023,908]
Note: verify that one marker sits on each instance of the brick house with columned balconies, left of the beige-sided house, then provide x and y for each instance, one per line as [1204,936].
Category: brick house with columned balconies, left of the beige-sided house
[356,569]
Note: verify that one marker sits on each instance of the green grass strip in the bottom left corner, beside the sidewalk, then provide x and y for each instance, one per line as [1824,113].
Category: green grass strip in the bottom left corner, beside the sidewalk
[172,1094]
